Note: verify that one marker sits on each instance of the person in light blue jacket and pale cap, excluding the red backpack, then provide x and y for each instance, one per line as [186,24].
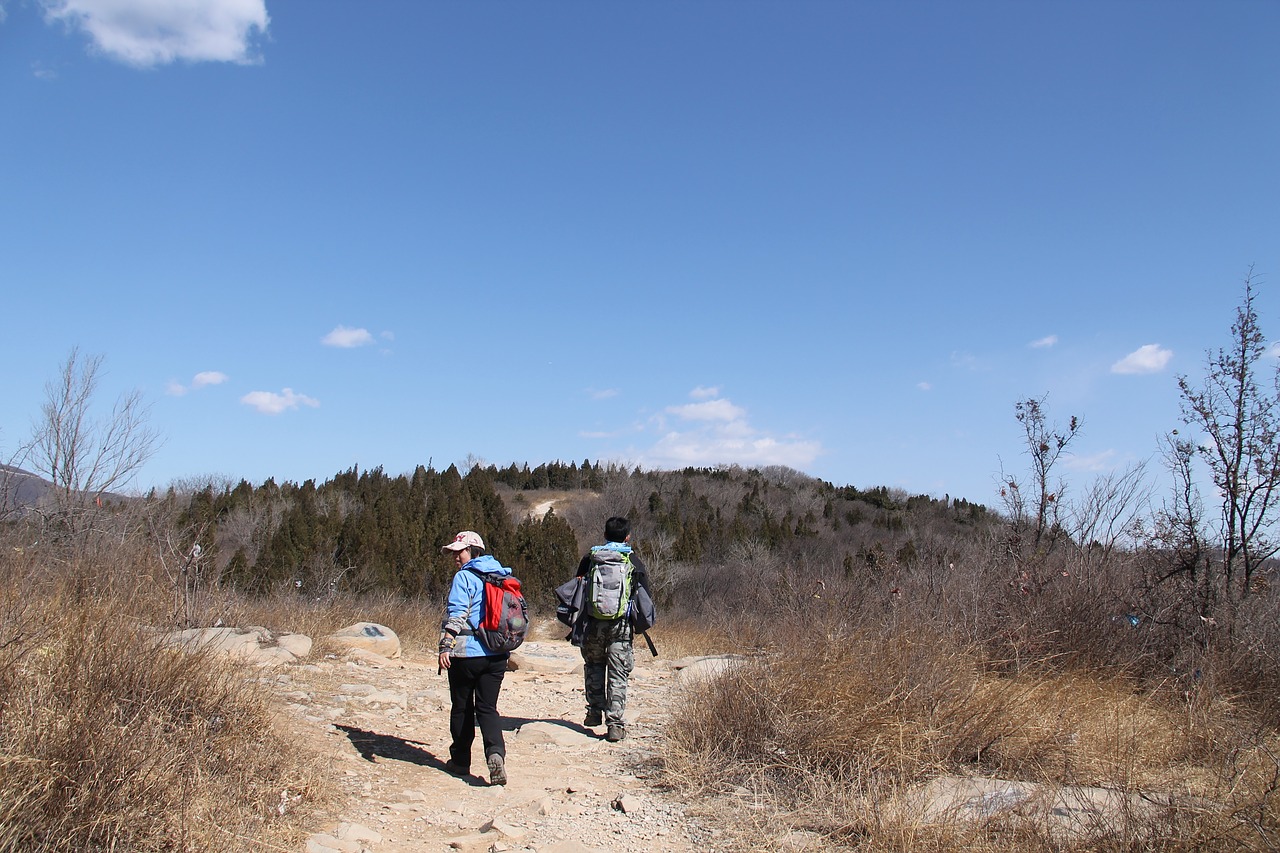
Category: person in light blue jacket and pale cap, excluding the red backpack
[476,673]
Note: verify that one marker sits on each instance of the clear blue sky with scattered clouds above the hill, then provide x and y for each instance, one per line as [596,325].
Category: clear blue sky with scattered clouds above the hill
[843,238]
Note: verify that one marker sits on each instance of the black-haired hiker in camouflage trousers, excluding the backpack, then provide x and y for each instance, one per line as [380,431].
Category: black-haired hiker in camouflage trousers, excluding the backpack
[609,655]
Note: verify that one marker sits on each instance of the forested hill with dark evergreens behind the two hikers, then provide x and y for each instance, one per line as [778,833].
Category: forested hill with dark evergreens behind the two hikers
[368,531]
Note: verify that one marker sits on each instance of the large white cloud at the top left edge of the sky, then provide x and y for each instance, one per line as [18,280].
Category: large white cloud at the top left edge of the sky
[157,33]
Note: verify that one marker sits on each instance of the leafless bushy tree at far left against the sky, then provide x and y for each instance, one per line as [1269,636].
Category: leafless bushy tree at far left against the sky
[84,457]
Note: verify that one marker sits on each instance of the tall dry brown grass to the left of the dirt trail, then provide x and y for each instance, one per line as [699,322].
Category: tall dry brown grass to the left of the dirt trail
[109,741]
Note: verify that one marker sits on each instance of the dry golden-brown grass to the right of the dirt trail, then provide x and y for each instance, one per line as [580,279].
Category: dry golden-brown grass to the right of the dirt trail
[831,733]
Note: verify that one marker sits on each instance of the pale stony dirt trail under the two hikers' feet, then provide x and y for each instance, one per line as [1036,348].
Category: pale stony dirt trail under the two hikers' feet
[570,791]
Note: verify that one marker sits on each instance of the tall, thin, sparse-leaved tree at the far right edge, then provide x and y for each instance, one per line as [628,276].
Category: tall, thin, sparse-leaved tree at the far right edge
[1240,414]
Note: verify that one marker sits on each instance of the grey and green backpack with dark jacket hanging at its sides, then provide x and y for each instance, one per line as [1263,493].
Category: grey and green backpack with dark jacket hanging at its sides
[575,597]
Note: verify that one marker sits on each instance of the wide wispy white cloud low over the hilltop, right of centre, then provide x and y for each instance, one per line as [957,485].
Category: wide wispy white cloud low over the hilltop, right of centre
[717,432]
